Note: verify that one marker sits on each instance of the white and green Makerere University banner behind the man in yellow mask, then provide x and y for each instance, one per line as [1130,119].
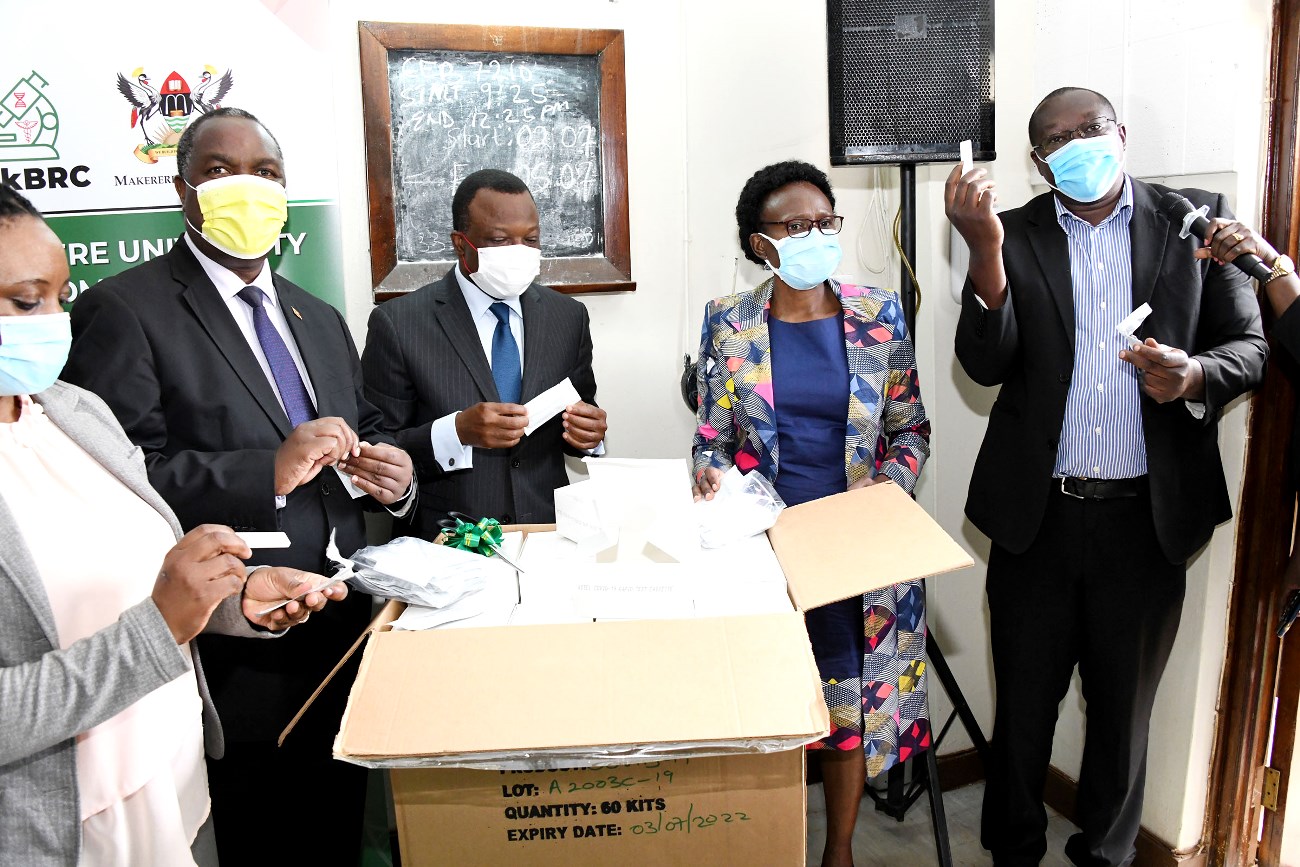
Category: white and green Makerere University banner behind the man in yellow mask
[92,111]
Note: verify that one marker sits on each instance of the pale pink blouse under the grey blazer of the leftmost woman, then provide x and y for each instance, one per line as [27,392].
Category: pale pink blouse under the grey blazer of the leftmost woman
[98,547]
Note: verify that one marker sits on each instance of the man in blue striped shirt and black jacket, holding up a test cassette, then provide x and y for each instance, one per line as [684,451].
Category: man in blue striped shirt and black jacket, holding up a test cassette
[1100,474]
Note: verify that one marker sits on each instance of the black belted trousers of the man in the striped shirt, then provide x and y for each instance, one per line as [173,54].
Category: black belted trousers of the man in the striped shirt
[1097,592]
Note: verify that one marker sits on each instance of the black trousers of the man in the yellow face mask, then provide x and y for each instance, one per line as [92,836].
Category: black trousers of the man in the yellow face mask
[287,807]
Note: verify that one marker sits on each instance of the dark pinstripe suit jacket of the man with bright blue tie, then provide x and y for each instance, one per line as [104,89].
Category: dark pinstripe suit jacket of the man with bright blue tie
[423,361]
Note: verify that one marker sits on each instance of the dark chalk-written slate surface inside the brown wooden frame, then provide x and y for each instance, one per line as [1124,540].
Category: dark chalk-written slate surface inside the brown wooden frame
[538,116]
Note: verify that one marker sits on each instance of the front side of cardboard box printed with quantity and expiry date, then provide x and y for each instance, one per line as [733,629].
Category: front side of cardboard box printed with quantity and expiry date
[722,810]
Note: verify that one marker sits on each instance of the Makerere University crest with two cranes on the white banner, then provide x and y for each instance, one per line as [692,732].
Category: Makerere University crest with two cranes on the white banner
[162,112]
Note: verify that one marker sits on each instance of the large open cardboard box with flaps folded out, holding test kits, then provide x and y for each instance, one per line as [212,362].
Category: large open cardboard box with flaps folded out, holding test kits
[515,742]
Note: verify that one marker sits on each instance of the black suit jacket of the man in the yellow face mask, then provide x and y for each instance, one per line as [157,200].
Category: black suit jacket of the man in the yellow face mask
[159,345]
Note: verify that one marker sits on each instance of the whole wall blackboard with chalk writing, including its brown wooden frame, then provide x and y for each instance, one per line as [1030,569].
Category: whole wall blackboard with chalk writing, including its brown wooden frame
[545,105]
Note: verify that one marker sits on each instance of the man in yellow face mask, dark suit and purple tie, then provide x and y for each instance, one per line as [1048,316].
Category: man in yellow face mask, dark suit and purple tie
[244,393]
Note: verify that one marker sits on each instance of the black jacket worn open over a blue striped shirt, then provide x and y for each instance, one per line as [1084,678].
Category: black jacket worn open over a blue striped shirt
[1028,348]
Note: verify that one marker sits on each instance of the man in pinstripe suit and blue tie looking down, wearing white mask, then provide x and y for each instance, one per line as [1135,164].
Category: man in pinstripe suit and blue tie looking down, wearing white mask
[452,365]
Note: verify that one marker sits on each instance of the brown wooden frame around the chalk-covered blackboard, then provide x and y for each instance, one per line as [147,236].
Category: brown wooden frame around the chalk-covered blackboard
[612,272]
